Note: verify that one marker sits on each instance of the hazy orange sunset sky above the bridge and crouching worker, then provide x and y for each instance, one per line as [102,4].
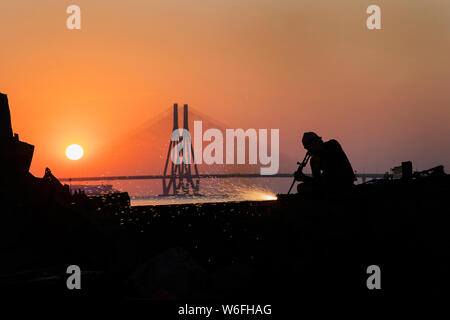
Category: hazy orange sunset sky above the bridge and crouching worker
[289,64]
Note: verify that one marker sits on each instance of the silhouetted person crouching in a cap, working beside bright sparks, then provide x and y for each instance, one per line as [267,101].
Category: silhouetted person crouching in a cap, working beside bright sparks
[331,169]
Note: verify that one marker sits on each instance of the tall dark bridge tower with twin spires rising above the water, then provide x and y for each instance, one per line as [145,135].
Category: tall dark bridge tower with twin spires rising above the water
[181,176]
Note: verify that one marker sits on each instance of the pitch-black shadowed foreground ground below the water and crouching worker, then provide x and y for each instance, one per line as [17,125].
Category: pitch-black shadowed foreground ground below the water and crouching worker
[317,245]
